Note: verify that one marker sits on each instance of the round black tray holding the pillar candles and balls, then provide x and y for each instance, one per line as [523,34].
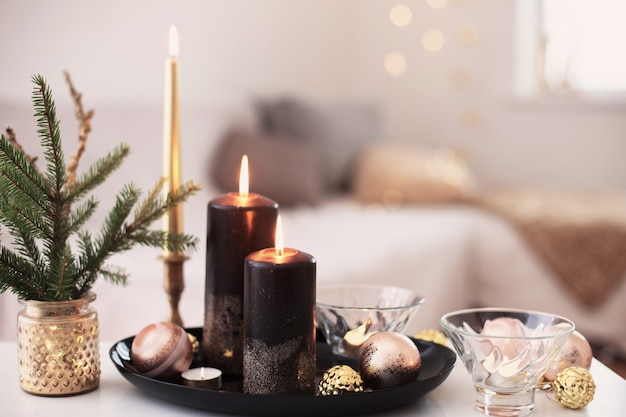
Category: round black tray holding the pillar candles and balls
[437,363]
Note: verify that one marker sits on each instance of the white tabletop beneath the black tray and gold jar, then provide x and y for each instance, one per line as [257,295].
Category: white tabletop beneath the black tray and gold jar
[118,397]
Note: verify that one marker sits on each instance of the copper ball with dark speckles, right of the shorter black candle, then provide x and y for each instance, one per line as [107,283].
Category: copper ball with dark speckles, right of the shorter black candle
[388,359]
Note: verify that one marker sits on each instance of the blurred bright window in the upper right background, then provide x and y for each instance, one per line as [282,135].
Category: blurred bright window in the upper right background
[579,45]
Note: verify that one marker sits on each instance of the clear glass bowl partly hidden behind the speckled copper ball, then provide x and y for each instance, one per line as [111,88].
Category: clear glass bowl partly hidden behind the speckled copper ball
[349,313]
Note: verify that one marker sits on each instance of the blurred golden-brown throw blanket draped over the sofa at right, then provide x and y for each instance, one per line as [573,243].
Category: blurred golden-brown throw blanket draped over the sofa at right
[580,236]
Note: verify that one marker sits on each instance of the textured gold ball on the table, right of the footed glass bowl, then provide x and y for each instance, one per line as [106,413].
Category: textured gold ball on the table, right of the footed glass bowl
[574,387]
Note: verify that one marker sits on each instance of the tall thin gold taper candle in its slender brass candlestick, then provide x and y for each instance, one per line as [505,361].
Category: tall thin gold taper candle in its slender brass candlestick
[174,282]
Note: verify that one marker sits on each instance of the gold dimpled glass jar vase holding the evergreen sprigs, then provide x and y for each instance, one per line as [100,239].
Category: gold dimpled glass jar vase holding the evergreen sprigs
[58,347]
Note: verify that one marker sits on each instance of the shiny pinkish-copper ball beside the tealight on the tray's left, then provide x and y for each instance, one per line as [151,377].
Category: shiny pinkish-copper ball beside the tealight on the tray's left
[161,351]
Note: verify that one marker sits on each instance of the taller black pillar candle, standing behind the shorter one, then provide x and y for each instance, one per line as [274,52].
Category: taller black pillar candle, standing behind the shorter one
[237,225]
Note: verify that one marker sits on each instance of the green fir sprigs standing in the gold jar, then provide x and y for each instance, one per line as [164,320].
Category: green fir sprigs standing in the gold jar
[53,256]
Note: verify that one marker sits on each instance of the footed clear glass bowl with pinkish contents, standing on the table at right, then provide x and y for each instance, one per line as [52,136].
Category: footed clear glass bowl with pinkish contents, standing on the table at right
[506,352]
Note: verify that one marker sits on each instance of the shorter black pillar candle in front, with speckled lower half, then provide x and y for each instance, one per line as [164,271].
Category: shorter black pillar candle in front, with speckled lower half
[279,323]
